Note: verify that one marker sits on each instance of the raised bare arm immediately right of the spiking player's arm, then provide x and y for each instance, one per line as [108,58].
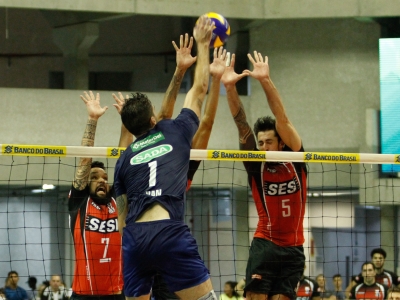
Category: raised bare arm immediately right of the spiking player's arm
[217,68]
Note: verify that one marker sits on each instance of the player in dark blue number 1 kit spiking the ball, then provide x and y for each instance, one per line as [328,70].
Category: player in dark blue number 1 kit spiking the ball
[150,183]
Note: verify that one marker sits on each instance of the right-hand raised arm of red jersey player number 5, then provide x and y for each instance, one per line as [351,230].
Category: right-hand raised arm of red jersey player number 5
[285,128]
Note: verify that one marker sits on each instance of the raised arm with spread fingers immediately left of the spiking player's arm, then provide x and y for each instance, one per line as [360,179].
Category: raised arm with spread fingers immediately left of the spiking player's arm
[184,60]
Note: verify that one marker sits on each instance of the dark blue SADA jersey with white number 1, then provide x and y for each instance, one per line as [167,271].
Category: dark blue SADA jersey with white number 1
[154,168]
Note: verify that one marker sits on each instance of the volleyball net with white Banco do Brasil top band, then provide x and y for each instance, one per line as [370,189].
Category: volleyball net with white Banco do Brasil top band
[352,208]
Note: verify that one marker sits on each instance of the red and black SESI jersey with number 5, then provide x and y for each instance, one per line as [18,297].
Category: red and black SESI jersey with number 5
[279,192]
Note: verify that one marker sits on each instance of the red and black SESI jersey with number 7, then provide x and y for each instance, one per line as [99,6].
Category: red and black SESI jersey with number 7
[97,243]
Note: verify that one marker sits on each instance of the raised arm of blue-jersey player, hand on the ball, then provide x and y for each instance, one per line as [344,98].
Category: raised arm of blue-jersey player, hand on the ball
[202,34]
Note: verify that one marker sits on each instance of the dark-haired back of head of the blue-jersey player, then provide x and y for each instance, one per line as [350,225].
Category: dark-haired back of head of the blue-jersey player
[136,114]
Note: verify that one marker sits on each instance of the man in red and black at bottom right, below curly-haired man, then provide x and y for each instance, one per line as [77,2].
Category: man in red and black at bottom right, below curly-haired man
[369,289]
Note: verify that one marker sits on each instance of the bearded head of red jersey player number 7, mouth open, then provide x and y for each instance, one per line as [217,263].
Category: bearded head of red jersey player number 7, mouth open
[98,181]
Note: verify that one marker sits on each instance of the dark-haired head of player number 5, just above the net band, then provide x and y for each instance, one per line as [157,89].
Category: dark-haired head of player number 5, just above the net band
[268,138]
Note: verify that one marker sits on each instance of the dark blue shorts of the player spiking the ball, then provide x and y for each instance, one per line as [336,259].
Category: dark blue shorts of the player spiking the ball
[164,247]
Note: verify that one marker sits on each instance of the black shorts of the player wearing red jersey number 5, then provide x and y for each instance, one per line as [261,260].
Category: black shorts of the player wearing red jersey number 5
[273,269]
